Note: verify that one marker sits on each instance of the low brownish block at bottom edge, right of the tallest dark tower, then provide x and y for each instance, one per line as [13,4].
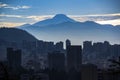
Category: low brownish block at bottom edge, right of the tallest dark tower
[89,72]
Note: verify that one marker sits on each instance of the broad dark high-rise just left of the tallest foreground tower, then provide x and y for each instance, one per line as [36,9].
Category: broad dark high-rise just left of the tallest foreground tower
[56,61]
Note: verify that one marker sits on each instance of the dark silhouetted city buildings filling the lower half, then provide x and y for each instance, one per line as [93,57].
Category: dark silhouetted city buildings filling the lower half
[49,61]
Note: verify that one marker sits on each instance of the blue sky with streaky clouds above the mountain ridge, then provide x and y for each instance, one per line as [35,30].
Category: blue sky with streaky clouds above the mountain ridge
[18,12]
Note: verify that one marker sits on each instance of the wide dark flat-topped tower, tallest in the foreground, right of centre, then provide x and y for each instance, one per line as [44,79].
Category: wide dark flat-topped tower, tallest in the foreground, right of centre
[74,57]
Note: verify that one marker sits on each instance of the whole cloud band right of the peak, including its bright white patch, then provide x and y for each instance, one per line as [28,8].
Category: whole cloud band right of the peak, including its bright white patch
[113,19]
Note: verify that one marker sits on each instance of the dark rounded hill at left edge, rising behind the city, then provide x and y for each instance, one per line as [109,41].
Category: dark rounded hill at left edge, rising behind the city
[15,35]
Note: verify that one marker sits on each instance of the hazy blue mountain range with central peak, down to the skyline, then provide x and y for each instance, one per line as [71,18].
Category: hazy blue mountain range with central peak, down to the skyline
[61,27]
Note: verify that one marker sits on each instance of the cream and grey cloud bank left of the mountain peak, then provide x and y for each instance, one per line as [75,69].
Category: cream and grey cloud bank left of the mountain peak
[25,19]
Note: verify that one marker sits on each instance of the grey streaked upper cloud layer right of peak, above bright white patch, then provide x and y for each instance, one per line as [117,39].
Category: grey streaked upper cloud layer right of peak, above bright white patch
[96,17]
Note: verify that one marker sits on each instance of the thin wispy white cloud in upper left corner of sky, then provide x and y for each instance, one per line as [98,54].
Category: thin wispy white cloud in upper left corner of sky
[3,5]
